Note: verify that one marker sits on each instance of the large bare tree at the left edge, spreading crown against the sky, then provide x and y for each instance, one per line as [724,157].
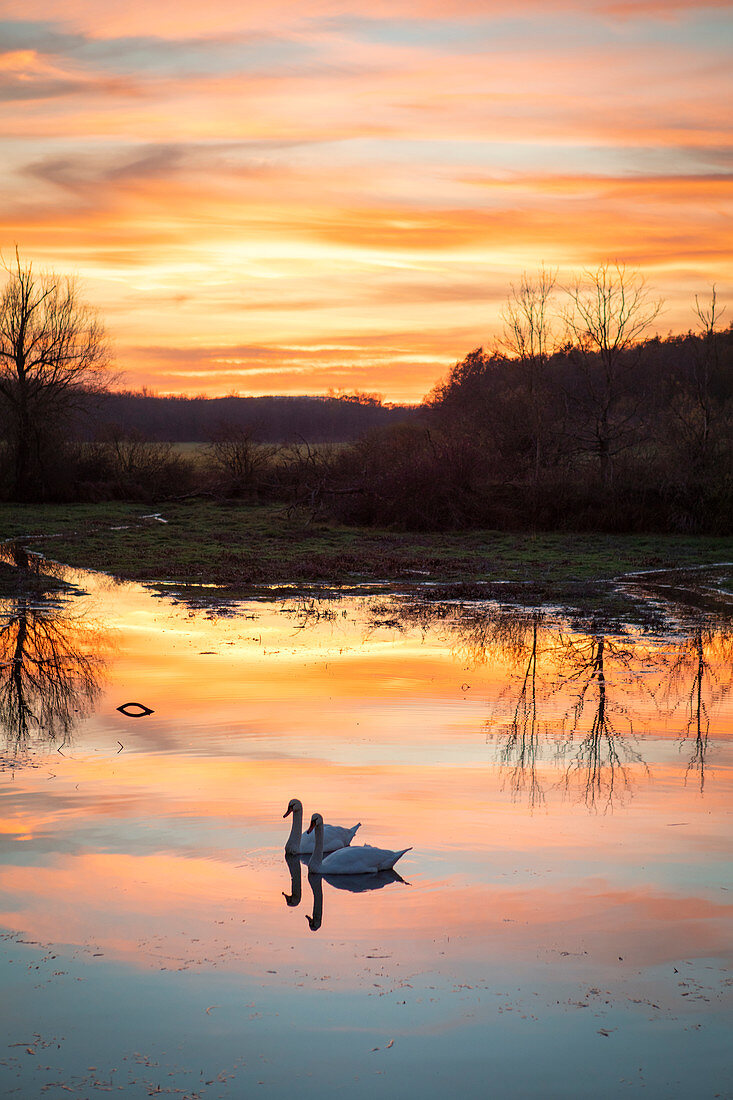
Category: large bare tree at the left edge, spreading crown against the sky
[53,353]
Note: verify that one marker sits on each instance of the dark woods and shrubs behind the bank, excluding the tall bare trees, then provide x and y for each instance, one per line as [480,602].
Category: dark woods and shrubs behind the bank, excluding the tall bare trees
[564,442]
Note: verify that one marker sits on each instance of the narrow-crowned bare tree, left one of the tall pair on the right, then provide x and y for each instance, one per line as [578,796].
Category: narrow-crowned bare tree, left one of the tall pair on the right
[530,338]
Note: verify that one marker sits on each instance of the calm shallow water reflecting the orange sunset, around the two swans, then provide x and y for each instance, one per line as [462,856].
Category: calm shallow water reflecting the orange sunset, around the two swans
[563,927]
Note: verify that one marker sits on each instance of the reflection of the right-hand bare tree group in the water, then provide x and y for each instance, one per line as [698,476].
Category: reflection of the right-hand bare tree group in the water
[572,694]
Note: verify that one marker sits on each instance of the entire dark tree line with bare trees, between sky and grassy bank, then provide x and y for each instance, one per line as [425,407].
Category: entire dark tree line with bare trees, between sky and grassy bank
[577,419]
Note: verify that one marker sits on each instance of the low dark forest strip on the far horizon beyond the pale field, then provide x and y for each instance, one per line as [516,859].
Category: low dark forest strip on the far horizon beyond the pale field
[333,420]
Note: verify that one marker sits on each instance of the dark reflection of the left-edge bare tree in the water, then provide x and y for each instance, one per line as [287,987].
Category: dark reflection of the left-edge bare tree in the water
[51,665]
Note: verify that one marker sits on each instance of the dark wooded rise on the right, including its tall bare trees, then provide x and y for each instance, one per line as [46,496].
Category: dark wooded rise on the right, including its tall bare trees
[575,420]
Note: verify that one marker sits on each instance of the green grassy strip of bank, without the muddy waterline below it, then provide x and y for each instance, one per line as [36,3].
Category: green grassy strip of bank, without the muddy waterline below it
[245,545]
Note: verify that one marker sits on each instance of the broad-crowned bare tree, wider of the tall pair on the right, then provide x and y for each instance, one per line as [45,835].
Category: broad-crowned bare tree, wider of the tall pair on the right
[609,312]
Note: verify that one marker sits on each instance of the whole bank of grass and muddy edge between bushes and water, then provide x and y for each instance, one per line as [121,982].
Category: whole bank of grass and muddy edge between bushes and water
[210,555]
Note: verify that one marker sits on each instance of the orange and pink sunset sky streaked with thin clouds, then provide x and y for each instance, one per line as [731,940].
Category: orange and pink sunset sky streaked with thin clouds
[286,197]
